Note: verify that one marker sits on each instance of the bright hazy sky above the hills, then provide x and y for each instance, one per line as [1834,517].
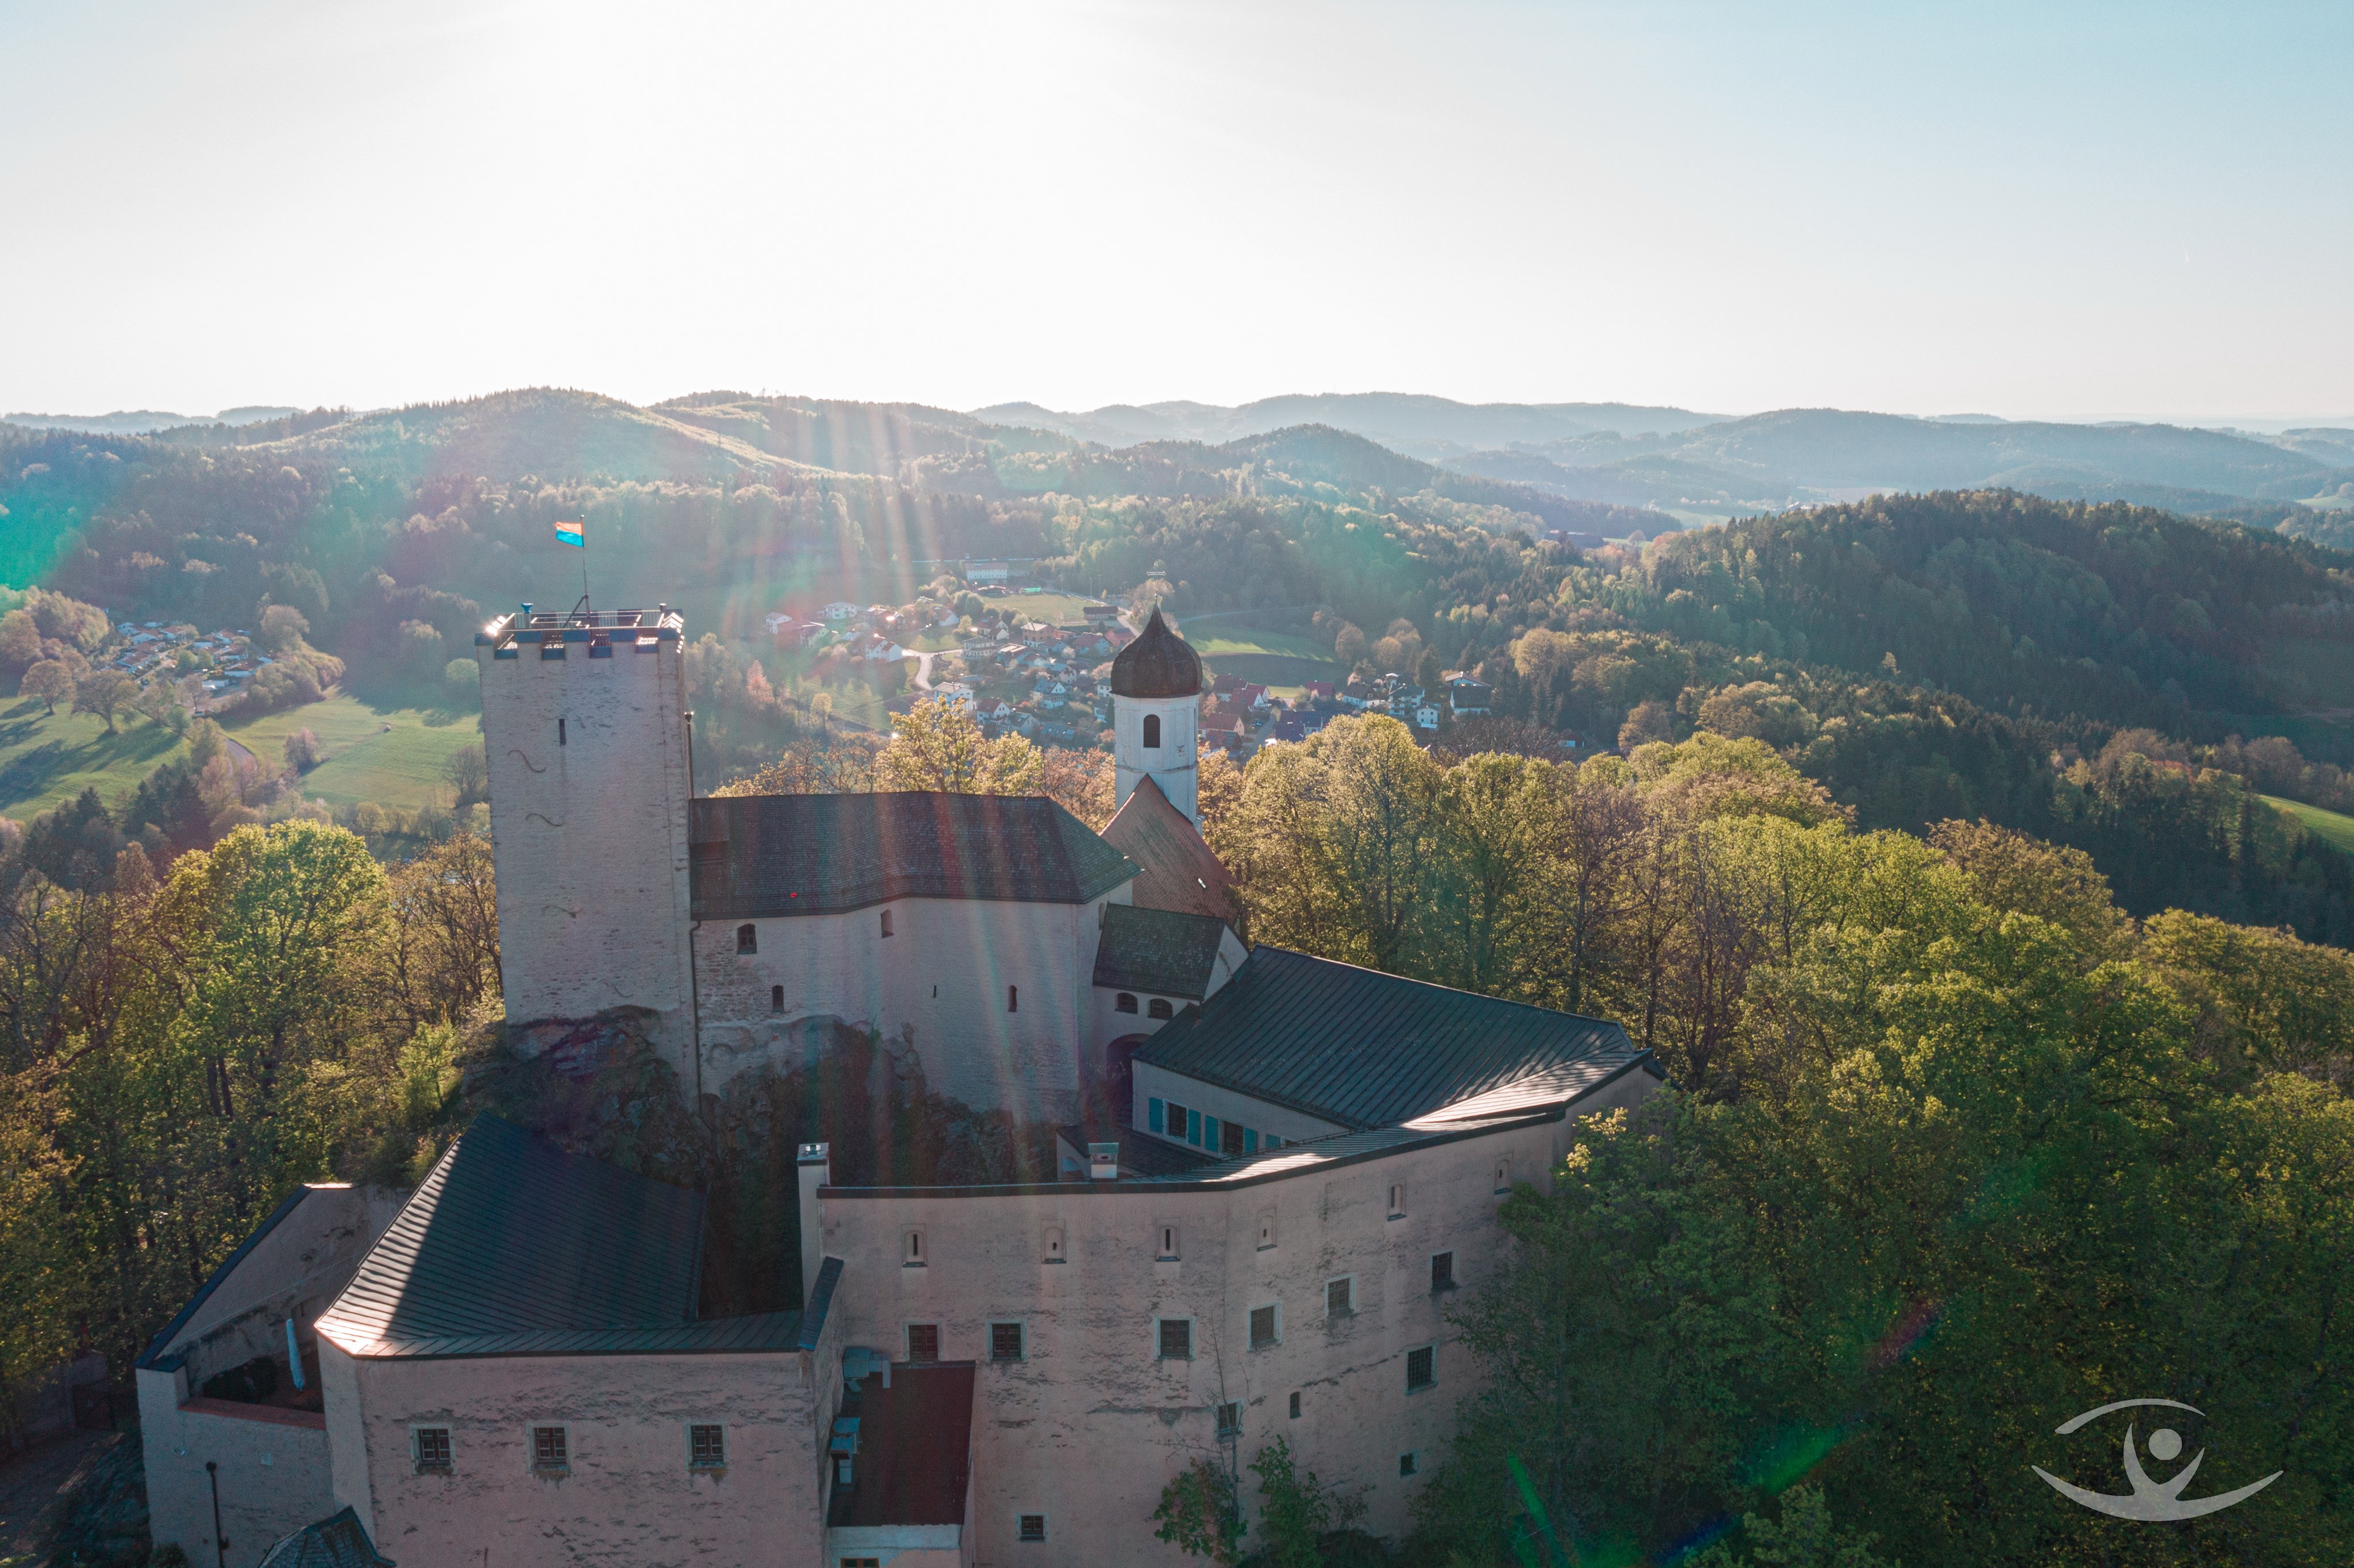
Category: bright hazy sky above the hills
[2035,211]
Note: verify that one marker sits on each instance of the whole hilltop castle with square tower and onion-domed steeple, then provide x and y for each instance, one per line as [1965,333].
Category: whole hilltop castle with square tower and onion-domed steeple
[1263,1240]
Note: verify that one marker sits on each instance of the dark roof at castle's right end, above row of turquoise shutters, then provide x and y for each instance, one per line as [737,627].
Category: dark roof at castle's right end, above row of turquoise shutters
[1366,1051]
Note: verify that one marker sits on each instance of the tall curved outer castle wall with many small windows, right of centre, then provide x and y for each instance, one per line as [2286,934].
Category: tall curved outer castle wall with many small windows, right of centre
[1091,1423]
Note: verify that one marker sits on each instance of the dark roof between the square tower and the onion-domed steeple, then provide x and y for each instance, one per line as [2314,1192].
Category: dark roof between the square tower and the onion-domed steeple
[780,856]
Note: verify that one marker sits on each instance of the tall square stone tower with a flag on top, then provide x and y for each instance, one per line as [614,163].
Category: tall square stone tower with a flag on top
[590,780]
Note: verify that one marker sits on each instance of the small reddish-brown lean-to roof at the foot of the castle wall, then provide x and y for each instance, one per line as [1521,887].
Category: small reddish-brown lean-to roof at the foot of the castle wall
[915,1449]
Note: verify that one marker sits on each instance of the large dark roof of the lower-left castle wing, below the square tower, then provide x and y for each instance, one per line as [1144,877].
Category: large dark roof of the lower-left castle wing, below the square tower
[514,1247]
